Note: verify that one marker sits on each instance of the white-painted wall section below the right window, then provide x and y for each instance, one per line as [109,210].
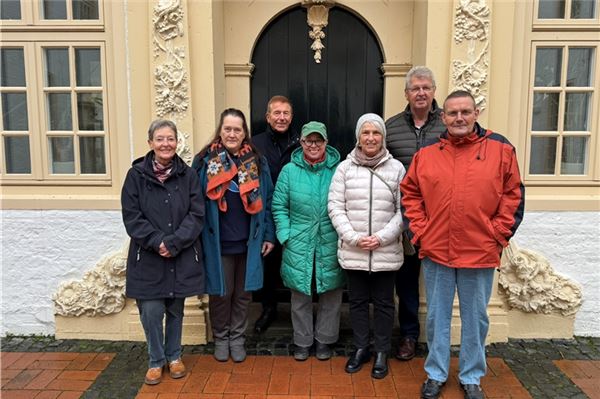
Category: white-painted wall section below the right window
[571,242]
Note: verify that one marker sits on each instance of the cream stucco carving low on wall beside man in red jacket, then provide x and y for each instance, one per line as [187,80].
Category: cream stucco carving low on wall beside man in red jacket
[530,284]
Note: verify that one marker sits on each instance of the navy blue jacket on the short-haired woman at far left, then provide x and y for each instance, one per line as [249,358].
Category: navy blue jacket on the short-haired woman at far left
[171,212]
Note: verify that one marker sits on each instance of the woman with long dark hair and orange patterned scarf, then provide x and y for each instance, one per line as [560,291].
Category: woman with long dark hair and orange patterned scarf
[239,231]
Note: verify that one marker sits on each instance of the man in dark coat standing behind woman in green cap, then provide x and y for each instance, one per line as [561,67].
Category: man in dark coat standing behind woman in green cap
[276,144]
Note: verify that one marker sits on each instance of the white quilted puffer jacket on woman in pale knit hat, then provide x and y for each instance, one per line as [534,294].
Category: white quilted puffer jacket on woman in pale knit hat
[361,204]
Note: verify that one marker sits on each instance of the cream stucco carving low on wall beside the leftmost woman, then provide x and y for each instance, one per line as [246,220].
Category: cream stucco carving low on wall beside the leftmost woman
[101,291]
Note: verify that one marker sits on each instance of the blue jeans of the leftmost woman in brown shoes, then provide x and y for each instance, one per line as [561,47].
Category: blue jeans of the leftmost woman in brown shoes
[162,349]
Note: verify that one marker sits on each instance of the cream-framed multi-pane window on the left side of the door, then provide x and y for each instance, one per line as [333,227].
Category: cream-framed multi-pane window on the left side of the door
[53,98]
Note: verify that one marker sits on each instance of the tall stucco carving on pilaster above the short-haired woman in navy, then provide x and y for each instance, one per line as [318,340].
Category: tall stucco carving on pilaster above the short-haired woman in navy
[170,76]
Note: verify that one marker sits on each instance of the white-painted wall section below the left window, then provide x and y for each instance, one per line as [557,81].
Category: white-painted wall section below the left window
[41,249]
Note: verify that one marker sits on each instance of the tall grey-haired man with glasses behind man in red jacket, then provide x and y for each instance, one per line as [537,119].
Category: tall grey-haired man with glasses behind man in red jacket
[407,132]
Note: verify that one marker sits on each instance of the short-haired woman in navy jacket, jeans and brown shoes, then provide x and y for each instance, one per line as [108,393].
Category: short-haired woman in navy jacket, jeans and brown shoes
[163,214]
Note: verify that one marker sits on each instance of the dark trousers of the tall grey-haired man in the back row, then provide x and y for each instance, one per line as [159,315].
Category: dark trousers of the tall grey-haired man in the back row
[407,289]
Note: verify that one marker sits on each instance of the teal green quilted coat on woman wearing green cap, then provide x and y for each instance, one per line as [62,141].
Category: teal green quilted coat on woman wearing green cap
[303,225]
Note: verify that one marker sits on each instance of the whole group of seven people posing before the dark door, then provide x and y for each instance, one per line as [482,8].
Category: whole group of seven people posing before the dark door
[428,187]
